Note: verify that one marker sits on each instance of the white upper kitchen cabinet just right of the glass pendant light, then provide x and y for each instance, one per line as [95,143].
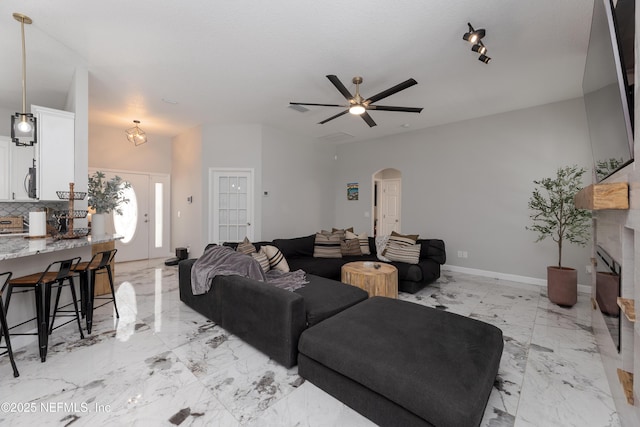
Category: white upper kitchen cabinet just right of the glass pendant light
[54,151]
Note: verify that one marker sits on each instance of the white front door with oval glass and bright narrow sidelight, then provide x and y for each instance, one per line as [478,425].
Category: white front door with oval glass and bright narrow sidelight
[145,222]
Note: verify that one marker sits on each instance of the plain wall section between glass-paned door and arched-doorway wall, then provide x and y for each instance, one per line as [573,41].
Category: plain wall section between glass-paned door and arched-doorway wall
[297,173]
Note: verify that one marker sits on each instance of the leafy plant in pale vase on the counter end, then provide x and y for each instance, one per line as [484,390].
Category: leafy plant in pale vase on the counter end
[105,196]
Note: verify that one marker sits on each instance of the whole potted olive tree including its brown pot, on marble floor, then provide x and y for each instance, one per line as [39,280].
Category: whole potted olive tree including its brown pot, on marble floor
[555,216]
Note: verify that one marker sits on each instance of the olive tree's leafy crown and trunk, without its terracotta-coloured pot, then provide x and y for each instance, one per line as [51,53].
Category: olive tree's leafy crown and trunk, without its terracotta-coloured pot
[554,214]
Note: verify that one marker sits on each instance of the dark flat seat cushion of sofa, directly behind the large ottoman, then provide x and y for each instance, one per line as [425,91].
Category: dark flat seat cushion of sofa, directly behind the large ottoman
[324,298]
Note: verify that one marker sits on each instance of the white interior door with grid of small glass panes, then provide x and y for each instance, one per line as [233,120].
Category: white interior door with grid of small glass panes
[231,205]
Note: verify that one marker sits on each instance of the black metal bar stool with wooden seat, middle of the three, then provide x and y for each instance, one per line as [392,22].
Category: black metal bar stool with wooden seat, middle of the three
[55,274]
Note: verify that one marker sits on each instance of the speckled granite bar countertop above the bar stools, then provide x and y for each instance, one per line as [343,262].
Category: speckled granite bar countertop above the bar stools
[19,246]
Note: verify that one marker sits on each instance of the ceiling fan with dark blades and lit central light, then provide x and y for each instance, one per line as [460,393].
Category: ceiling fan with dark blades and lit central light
[359,106]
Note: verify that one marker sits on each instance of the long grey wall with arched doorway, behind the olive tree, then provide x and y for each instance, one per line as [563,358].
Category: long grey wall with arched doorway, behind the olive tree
[469,182]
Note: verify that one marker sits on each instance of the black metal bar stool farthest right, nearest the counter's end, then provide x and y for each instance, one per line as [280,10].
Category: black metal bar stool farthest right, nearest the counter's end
[101,261]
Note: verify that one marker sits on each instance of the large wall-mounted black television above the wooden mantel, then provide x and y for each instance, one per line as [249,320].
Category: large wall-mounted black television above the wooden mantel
[607,85]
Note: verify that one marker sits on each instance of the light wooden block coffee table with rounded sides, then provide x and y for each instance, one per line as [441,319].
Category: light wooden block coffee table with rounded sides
[382,281]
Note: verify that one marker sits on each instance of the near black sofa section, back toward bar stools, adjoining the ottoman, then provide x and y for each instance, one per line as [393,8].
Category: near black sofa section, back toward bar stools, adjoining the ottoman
[267,317]
